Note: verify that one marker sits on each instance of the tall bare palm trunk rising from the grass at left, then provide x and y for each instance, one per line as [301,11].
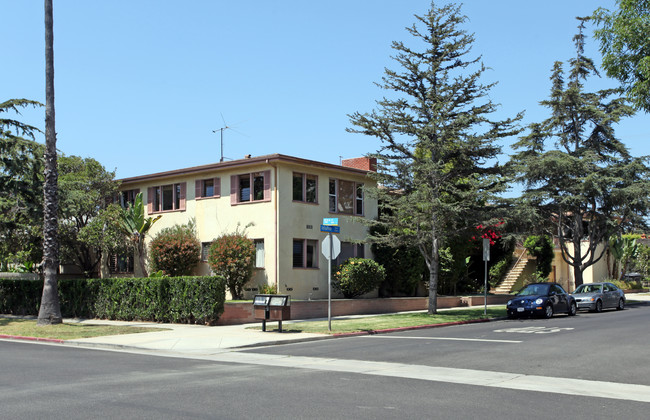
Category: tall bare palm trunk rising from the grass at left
[50,310]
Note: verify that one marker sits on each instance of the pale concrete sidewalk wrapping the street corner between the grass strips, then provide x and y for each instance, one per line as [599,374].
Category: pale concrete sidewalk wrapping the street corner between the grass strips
[198,339]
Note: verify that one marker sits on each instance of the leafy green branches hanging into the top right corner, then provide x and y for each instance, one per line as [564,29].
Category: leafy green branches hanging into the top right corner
[624,36]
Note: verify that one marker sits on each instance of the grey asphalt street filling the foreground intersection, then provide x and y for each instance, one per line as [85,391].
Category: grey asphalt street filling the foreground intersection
[499,369]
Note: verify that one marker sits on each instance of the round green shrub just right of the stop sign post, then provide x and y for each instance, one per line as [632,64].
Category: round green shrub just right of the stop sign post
[358,276]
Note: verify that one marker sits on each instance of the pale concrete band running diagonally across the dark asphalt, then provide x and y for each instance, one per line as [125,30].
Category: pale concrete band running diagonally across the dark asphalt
[566,386]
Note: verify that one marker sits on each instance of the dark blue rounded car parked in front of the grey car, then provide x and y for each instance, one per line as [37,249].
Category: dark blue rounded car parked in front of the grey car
[542,299]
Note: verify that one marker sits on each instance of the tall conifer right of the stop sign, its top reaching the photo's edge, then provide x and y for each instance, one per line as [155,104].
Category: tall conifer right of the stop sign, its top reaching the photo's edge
[436,164]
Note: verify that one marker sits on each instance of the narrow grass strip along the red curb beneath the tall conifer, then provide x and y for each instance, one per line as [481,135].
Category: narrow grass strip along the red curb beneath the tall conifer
[381,322]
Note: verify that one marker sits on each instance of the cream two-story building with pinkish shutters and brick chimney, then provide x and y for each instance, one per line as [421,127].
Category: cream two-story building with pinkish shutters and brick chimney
[279,200]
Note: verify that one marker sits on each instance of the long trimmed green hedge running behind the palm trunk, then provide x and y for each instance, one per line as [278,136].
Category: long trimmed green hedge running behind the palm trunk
[197,300]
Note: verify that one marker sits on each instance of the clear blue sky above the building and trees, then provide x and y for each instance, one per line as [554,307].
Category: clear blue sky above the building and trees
[141,84]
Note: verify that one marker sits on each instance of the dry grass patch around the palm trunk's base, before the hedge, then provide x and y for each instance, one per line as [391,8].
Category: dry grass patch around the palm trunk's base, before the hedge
[28,328]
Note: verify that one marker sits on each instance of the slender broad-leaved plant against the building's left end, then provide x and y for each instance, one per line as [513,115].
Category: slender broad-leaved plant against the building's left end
[135,227]
